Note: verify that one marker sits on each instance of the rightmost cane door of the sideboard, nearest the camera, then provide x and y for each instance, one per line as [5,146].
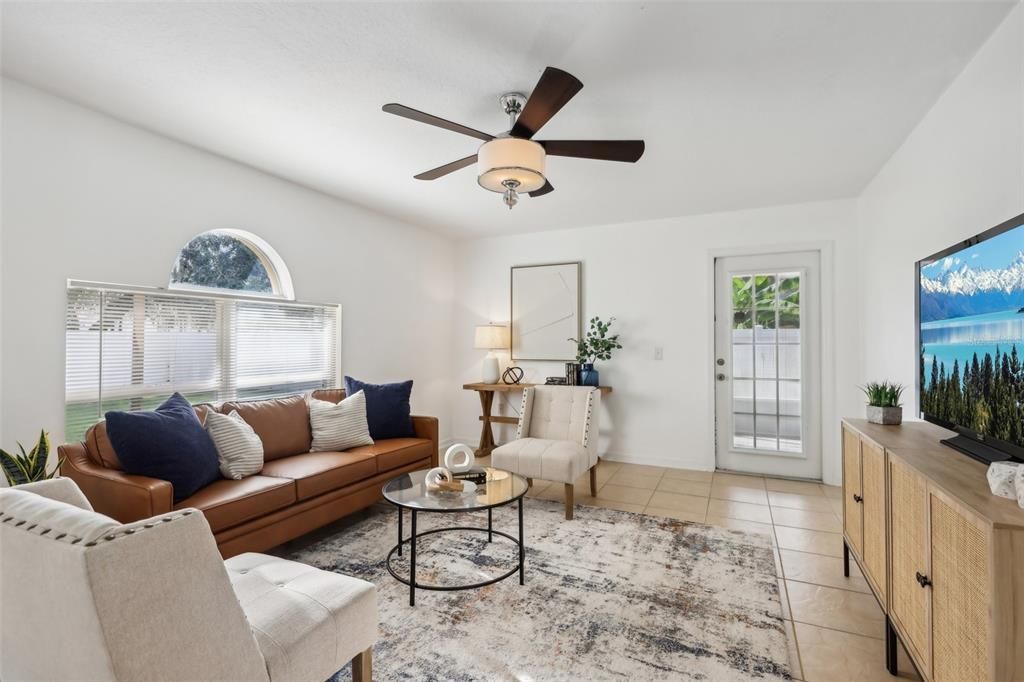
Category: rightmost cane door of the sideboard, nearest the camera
[961,595]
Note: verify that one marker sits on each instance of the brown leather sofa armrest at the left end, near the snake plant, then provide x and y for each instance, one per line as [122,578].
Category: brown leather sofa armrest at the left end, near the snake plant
[123,497]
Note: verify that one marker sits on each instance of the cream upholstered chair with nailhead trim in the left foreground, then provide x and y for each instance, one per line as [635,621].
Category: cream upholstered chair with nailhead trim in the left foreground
[89,599]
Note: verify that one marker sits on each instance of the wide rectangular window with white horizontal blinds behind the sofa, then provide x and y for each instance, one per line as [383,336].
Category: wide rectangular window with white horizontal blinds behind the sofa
[131,349]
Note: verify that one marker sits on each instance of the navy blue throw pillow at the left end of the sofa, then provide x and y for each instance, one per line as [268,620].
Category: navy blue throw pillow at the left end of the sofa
[169,444]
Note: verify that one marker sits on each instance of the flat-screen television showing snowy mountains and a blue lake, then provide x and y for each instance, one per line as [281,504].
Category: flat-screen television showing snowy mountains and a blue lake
[971,343]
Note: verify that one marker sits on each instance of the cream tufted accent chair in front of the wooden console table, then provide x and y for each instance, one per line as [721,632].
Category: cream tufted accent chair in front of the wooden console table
[557,439]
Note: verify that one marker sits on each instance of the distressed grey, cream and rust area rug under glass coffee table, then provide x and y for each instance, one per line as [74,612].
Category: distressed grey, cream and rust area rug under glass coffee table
[609,596]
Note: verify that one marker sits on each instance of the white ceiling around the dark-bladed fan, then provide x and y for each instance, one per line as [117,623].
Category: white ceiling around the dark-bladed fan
[743,105]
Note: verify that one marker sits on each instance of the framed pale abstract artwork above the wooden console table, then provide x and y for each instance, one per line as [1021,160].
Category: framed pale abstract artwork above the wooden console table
[545,311]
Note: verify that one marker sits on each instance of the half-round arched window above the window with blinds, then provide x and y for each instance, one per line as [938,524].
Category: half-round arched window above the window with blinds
[232,261]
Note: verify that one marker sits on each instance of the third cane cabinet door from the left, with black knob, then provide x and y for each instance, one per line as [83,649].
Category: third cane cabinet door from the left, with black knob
[910,598]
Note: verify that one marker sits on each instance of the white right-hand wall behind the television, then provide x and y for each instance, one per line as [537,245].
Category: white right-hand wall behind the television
[960,173]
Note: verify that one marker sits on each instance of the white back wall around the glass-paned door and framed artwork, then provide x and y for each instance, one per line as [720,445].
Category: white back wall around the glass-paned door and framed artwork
[656,278]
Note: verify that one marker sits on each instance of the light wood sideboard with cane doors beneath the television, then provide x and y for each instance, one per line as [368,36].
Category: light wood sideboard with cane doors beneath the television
[943,556]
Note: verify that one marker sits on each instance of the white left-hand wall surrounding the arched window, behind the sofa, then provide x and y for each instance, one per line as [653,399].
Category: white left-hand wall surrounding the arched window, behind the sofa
[90,198]
